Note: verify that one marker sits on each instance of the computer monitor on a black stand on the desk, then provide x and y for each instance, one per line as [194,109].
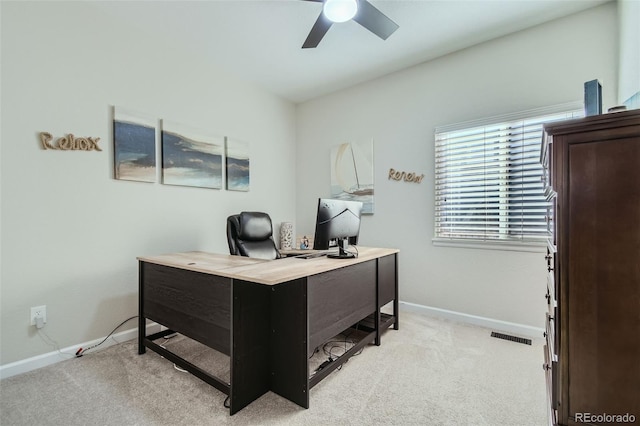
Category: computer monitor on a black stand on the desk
[339,221]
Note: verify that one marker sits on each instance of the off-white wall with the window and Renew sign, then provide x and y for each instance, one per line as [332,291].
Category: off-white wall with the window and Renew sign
[542,66]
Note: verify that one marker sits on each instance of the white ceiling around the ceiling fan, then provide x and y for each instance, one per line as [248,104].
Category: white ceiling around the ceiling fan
[260,40]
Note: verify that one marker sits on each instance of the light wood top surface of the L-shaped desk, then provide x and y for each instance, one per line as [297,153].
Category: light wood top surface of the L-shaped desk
[268,272]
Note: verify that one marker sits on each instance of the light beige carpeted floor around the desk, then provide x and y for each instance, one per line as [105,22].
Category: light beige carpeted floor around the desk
[430,372]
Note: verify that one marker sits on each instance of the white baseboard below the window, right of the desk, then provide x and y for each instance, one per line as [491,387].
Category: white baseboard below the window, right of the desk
[494,324]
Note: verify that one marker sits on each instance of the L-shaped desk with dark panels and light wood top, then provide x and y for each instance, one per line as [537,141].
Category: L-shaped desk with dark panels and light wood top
[267,316]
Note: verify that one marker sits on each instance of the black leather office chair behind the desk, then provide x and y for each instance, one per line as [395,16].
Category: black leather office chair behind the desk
[250,234]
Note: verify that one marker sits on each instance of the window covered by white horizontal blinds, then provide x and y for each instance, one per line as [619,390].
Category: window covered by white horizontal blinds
[488,178]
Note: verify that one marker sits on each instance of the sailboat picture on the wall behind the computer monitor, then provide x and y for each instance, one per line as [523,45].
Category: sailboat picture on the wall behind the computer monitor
[352,173]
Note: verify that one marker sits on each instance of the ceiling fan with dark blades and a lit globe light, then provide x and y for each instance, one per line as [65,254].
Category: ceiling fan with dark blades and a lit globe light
[361,11]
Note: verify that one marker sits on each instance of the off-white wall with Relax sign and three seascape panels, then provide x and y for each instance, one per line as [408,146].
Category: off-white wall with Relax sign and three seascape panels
[70,232]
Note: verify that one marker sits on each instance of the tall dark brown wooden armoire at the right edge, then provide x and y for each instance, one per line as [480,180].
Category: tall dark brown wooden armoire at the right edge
[592,351]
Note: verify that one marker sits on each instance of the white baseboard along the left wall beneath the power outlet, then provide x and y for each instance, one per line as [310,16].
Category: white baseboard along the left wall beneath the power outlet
[43,360]
